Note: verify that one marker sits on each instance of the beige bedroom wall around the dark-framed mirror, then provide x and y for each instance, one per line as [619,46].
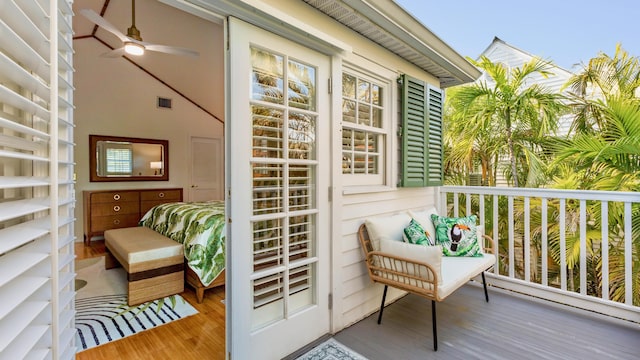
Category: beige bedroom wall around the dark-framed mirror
[115,97]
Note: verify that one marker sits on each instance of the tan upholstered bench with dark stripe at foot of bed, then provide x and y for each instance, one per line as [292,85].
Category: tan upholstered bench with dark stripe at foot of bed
[153,262]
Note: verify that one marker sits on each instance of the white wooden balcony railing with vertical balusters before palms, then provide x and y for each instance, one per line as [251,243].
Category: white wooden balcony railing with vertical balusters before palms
[552,244]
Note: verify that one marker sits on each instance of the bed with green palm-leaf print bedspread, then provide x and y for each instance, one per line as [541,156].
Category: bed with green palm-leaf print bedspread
[200,227]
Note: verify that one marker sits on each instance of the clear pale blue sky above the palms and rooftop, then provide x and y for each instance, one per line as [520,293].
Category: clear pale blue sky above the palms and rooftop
[566,32]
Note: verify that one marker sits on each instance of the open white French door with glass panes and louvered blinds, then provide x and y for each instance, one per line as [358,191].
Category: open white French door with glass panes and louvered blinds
[278,153]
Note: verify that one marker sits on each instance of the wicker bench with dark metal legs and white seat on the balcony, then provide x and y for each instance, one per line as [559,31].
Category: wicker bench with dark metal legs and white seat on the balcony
[426,275]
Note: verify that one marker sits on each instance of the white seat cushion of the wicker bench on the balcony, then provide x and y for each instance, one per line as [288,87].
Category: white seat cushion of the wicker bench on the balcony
[456,271]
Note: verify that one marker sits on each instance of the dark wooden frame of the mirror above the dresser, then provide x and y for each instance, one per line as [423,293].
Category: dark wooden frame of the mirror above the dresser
[93,173]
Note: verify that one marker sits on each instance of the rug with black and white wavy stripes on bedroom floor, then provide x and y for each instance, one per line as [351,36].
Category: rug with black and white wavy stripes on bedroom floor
[103,316]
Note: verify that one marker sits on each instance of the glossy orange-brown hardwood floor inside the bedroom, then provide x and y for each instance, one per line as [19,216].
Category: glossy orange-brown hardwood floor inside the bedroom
[200,336]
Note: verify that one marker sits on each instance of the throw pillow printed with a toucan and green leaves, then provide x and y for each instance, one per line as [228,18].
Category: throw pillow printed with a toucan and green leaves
[457,236]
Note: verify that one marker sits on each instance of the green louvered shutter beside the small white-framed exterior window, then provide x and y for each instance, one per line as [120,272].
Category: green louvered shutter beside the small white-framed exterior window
[422,109]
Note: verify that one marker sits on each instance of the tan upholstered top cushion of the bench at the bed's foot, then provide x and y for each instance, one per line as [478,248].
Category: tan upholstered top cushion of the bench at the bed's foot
[141,244]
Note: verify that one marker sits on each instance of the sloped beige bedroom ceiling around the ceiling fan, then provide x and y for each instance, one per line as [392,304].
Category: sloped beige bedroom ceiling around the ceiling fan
[199,79]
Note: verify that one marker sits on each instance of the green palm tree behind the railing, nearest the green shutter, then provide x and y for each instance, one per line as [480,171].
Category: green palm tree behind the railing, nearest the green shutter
[509,116]
